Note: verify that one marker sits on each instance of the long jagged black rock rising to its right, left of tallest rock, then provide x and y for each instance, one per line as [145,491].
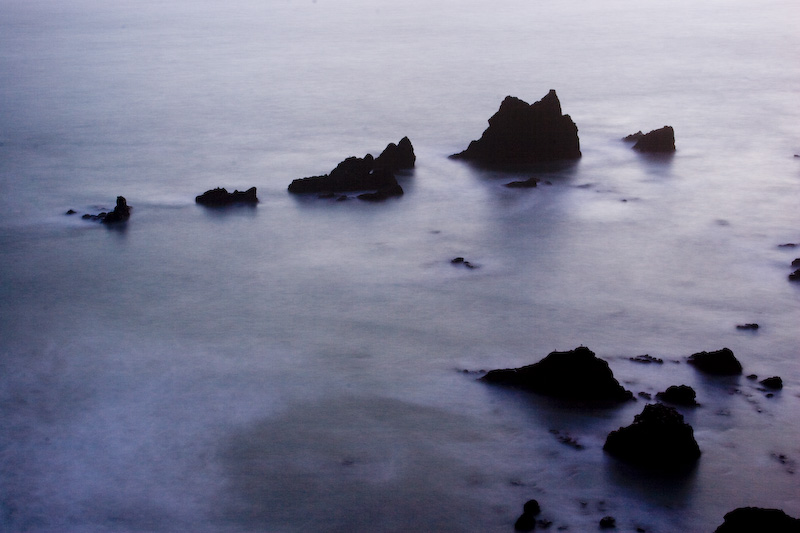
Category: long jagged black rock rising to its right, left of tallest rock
[363,174]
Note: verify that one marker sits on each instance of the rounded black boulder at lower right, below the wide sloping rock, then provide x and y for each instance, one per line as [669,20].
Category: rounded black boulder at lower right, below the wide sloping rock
[658,439]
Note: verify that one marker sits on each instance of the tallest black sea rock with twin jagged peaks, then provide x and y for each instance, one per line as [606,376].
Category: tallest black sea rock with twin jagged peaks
[522,134]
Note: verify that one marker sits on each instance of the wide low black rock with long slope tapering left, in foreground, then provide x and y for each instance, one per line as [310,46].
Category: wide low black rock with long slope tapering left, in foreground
[576,375]
